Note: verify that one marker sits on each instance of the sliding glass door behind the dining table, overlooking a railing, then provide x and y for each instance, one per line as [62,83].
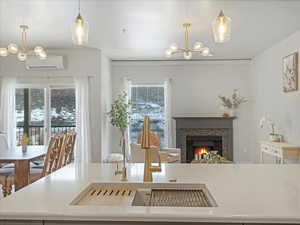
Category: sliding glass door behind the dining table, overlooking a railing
[40,110]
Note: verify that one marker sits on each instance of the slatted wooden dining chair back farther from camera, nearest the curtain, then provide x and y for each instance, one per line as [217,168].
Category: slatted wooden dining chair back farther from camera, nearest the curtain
[67,152]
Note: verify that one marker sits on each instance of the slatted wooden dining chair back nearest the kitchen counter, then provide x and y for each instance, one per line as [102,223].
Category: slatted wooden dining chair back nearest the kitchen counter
[52,157]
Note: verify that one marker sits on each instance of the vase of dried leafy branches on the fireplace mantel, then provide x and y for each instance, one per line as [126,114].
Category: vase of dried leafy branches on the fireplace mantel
[230,104]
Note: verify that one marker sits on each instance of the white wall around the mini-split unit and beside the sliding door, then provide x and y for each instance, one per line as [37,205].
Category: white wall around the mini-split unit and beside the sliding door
[79,62]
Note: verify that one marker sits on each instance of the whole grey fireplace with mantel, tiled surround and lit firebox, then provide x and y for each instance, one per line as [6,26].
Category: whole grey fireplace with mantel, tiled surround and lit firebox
[198,133]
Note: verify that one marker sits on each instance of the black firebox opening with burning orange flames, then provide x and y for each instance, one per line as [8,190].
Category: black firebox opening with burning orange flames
[197,146]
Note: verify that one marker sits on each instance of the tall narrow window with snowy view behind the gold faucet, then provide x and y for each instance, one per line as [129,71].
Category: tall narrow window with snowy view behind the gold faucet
[150,101]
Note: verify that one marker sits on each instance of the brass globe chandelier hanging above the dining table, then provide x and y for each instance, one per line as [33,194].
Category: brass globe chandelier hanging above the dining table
[23,52]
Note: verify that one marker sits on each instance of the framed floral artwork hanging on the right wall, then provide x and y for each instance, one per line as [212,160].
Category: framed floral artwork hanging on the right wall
[290,72]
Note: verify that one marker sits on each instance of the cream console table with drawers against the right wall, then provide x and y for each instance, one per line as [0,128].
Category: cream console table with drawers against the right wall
[281,150]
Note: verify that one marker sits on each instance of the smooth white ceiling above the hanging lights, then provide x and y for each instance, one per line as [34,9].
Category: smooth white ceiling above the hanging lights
[152,25]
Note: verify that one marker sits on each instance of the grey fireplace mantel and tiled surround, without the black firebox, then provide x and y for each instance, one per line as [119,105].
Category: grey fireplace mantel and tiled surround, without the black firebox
[203,125]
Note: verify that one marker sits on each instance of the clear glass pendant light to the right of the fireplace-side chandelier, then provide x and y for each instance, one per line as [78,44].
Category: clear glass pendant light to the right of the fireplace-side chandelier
[222,28]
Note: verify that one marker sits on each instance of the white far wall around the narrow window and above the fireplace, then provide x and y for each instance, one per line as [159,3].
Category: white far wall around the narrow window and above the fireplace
[195,87]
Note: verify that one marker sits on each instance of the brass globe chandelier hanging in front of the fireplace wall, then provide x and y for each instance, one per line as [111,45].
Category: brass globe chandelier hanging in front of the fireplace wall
[198,47]
